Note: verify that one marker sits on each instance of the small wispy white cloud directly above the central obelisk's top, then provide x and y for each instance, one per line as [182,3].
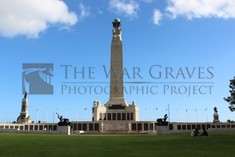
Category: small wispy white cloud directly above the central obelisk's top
[127,7]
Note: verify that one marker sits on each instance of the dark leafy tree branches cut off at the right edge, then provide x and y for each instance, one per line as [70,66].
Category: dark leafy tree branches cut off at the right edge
[231,99]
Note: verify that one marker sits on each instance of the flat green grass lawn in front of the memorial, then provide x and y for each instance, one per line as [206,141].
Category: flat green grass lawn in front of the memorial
[25,145]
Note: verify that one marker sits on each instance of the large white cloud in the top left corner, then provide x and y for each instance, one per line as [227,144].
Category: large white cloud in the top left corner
[30,17]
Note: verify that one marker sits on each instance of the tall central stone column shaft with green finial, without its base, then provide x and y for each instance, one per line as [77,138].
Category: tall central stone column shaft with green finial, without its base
[116,69]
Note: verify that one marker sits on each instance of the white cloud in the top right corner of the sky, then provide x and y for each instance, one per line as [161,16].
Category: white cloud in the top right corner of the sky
[201,8]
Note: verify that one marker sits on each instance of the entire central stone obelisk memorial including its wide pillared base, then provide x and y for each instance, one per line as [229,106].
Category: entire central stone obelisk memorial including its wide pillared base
[116,113]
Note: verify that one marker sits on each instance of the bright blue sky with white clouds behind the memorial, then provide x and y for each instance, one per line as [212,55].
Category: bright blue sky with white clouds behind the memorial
[175,34]
